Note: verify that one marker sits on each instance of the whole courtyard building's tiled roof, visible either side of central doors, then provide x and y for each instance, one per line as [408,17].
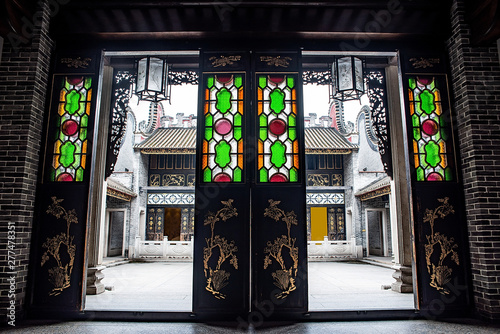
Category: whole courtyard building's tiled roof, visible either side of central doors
[183,140]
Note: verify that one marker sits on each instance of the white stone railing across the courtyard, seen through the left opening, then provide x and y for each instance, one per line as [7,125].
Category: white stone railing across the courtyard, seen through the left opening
[175,250]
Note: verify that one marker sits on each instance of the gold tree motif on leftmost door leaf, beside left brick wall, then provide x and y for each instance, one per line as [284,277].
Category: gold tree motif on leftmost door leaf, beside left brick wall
[60,275]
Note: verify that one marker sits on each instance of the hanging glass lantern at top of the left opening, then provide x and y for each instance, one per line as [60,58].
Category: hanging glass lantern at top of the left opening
[152,80]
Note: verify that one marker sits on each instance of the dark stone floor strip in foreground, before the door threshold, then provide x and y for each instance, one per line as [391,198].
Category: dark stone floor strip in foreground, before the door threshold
[462,326]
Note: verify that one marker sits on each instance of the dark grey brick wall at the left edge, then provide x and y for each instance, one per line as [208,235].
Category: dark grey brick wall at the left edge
[23,81]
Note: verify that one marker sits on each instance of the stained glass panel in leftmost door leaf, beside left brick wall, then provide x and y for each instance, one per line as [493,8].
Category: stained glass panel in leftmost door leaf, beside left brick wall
[70,141]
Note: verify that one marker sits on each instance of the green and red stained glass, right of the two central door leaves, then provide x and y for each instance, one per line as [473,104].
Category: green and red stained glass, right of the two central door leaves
[278,146]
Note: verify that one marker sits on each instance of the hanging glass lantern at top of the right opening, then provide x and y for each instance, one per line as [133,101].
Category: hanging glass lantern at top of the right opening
[347,79]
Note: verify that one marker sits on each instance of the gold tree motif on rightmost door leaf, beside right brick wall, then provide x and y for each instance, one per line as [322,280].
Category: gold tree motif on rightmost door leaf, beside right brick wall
[440,273]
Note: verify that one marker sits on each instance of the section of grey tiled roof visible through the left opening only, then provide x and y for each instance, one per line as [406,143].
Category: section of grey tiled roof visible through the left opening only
[169,140]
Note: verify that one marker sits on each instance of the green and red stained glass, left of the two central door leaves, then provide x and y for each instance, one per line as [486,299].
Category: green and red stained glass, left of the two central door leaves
[222,159]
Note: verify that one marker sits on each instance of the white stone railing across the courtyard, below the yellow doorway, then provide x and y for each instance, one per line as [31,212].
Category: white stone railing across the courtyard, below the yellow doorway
[333,249]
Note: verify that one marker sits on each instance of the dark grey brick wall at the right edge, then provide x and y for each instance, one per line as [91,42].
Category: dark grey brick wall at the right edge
[476,83]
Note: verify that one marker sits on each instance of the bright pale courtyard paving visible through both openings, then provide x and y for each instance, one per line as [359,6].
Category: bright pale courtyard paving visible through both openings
[166,286]
